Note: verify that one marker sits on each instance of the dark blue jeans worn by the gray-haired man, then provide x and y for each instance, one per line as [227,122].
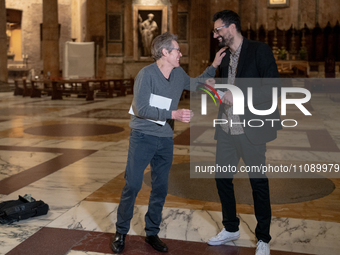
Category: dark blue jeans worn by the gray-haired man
[145,149]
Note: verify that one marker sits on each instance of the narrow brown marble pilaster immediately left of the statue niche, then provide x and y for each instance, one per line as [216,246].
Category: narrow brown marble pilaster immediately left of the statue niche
[128,30]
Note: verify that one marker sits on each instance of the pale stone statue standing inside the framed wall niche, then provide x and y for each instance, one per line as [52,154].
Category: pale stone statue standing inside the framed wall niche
[148,29]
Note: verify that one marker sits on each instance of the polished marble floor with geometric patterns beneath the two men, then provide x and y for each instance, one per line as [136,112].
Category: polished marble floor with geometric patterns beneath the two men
[72,153]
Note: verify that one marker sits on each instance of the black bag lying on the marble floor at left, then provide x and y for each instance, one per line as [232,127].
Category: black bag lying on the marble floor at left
[21,209]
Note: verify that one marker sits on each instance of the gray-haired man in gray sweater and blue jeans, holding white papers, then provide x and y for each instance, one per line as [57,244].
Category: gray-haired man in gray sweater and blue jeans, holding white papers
[151,142]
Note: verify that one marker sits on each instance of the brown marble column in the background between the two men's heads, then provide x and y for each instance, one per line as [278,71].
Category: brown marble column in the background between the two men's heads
[199,45]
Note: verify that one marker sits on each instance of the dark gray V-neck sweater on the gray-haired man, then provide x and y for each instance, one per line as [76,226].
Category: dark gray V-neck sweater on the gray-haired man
[151,80]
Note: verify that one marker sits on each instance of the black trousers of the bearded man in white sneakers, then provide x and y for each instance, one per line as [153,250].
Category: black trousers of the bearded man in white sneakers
[229,150]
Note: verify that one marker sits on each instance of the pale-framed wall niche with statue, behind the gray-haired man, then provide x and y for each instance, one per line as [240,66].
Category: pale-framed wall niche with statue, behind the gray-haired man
[148,22]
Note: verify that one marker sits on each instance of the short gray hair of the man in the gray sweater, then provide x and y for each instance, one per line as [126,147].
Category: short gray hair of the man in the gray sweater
[163,41]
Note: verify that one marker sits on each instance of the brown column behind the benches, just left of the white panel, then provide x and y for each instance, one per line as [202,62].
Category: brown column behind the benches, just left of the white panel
[50,42]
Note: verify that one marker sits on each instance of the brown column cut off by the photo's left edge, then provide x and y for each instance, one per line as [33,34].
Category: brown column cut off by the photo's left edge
[3,43]
